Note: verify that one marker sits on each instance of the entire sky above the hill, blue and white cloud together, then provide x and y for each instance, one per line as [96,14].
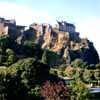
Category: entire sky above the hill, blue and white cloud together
[83,13]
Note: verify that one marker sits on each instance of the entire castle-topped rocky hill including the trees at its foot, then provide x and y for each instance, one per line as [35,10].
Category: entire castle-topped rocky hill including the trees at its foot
[35,62]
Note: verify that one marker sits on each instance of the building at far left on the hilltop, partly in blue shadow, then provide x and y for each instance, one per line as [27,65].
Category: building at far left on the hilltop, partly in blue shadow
[10,27]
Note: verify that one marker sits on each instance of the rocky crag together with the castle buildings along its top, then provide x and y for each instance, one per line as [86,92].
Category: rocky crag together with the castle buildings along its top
[61,39]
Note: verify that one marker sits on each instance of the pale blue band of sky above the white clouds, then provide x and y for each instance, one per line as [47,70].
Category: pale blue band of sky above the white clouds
[74,11]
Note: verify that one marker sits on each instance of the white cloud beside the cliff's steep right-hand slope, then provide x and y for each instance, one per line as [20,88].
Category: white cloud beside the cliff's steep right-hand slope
[91,30]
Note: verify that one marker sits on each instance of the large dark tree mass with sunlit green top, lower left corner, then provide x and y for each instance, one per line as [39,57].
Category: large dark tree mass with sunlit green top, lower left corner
[23,76]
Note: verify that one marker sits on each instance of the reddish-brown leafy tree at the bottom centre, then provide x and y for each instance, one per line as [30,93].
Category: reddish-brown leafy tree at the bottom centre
[54,91]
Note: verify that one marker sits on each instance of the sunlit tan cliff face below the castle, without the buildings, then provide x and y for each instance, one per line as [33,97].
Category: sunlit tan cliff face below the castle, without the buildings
[67,45]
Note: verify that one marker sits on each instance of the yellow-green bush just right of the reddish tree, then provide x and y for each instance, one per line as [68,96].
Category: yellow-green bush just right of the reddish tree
[79,91]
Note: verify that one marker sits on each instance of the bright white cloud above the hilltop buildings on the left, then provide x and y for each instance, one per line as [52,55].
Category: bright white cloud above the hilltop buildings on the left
[22,14]
